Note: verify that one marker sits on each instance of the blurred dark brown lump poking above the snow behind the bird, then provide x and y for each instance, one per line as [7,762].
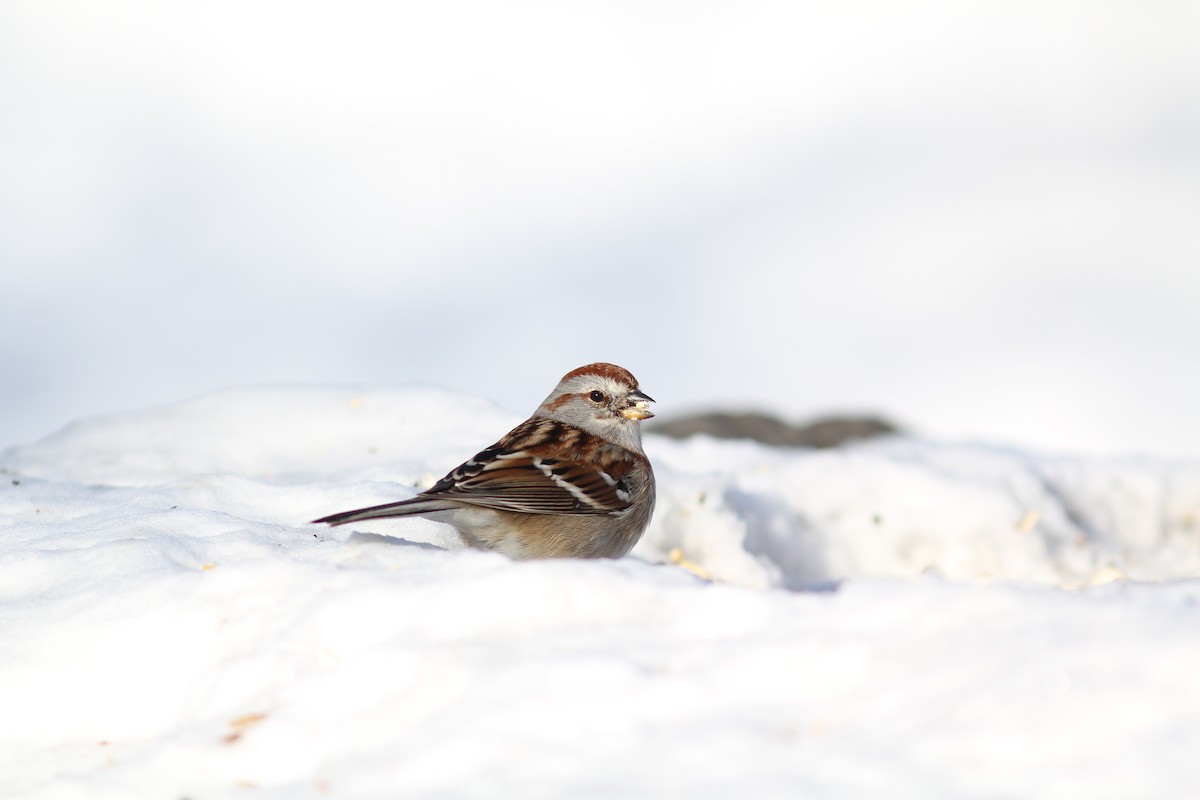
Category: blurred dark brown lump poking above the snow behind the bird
[827,432]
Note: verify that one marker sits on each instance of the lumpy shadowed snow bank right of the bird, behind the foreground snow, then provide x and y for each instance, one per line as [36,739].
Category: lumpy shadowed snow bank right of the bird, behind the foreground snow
[903,508]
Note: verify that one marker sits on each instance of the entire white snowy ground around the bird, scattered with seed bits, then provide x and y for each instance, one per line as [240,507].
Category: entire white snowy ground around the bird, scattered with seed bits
[902,619]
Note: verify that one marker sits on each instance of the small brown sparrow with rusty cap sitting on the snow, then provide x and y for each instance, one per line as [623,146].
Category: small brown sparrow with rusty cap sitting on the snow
[569,482]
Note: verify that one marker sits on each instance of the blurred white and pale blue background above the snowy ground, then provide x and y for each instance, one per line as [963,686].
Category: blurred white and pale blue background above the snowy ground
[982,221]
